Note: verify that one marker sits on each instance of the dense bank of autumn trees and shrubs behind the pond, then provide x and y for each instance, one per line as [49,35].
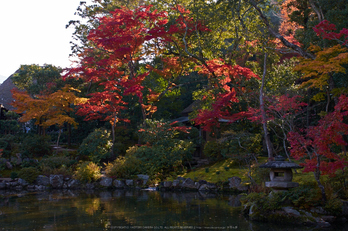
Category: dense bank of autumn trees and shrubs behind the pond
[158,84]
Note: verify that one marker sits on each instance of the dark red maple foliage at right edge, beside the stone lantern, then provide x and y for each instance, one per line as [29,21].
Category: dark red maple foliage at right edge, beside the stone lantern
[316,143]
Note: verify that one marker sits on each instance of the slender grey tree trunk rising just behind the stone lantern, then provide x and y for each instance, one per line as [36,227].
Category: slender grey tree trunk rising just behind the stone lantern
[263,112]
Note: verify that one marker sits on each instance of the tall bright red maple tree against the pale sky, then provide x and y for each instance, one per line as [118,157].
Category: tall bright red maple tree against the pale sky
[121,42]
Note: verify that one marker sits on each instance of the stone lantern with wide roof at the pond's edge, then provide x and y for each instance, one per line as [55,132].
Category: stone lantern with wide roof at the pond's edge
[281,174]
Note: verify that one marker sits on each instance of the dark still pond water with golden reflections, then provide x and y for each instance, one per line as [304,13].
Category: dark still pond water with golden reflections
[126,210]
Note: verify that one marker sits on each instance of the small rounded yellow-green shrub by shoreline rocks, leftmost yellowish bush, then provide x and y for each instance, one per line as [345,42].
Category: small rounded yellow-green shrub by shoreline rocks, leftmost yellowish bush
[87,172]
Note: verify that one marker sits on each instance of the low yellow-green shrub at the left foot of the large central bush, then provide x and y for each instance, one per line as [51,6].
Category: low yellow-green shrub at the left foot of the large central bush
[124,167]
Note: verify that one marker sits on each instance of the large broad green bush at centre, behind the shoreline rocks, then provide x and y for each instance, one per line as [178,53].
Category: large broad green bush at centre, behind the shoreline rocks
[165,150]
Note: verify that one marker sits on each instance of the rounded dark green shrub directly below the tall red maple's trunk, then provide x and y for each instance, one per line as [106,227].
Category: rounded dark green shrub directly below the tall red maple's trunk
[96,146]
